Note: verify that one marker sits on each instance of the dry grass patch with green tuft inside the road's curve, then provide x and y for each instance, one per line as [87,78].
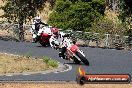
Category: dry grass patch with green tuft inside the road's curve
[20,64]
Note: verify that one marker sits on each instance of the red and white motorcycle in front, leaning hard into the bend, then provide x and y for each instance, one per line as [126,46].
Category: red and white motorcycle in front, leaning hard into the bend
[73,53]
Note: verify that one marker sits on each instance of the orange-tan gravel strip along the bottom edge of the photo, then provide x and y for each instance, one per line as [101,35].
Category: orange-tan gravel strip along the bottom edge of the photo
[62,85]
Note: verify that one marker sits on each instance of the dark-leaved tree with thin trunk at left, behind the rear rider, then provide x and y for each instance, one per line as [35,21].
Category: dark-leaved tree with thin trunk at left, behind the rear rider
[19,11]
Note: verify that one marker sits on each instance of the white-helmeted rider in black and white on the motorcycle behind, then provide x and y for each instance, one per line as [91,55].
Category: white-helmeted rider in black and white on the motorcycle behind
[35,27]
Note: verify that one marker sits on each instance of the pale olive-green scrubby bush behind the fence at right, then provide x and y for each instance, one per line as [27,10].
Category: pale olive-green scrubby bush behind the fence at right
[108,26]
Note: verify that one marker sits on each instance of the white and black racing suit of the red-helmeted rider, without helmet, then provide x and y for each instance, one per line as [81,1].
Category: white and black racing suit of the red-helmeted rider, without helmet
[58,41]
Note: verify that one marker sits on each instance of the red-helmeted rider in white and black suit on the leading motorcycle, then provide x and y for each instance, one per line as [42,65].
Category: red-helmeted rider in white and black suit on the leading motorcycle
[56,41]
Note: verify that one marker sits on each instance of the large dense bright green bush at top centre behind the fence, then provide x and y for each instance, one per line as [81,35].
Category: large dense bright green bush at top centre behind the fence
[76,14]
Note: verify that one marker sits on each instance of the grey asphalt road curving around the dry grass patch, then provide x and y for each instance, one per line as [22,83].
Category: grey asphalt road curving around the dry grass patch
[102,61]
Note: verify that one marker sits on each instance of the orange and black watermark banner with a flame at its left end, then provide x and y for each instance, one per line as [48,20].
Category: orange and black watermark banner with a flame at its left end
[83,78]
